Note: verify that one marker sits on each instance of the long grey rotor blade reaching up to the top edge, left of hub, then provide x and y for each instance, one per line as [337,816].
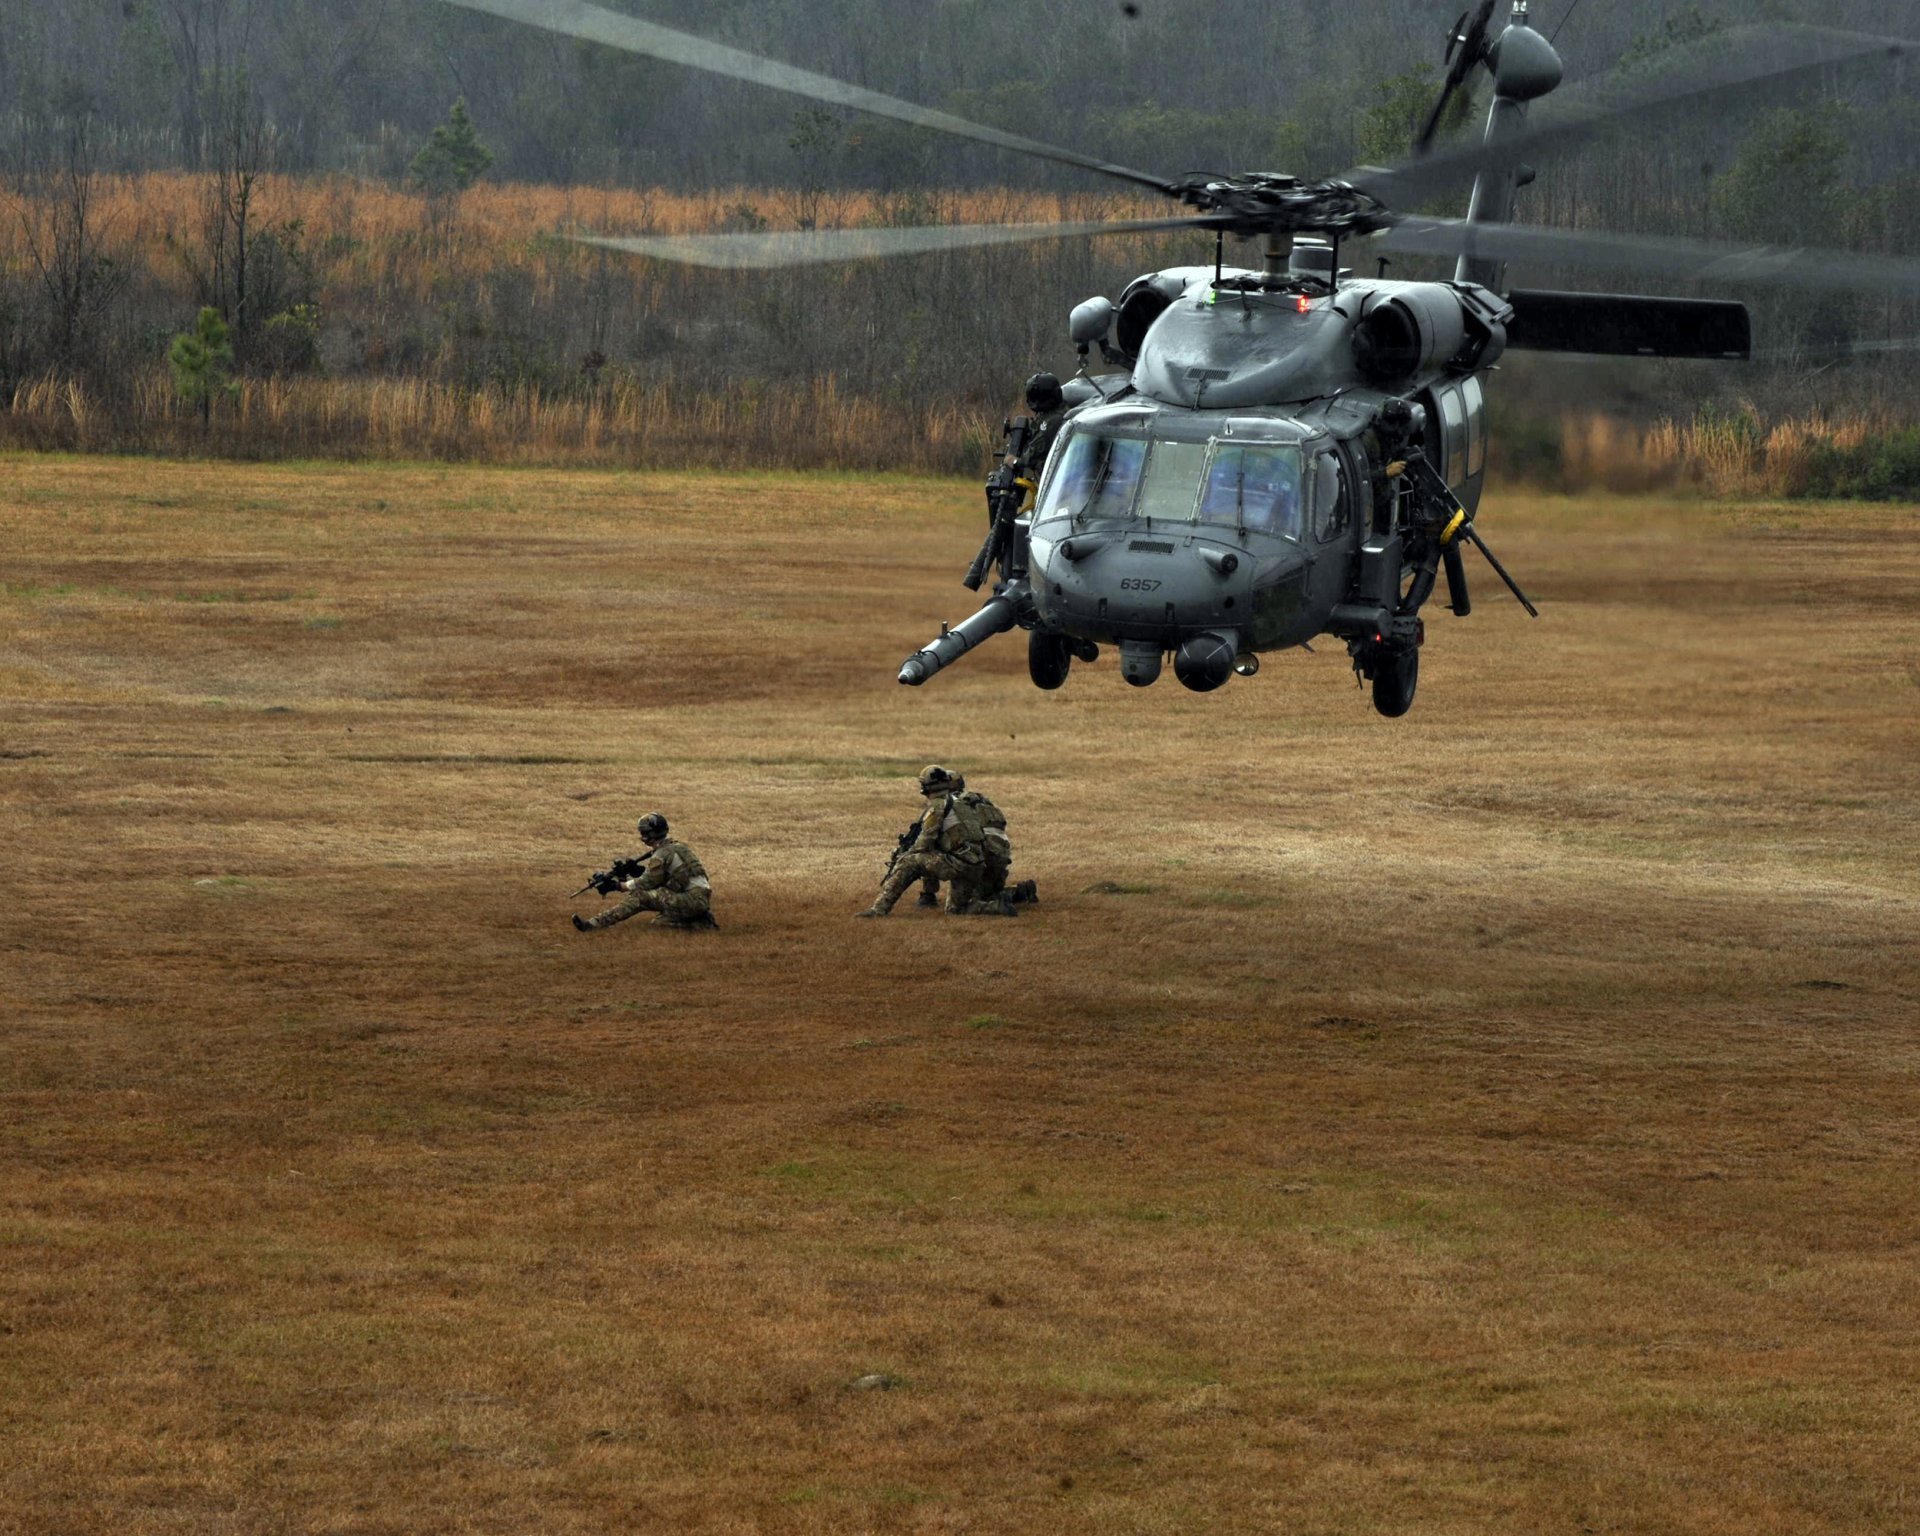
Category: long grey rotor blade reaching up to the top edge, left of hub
[594,24]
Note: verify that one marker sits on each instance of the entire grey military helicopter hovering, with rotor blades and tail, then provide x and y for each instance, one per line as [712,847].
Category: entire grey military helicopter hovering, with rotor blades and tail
[1289,452]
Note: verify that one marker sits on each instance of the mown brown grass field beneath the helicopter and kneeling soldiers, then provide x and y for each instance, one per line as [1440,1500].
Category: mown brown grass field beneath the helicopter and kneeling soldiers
[1497,1120]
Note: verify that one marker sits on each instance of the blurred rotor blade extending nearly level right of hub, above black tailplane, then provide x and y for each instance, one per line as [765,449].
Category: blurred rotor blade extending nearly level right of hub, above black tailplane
[1694,260]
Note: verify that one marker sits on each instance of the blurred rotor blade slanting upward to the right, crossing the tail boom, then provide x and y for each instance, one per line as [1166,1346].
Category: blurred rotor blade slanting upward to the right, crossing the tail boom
[1725,66]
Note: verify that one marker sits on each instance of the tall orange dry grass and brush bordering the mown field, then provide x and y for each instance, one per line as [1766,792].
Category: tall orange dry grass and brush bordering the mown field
[487,337]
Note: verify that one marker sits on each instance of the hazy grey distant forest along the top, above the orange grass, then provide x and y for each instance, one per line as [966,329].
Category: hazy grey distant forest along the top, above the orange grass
[358,85]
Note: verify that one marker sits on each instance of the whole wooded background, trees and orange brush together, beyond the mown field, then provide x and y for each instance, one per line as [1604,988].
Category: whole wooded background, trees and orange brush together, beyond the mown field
[387,272]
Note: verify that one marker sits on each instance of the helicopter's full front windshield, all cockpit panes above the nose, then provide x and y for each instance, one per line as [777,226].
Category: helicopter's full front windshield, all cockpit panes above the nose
[1234,485]
